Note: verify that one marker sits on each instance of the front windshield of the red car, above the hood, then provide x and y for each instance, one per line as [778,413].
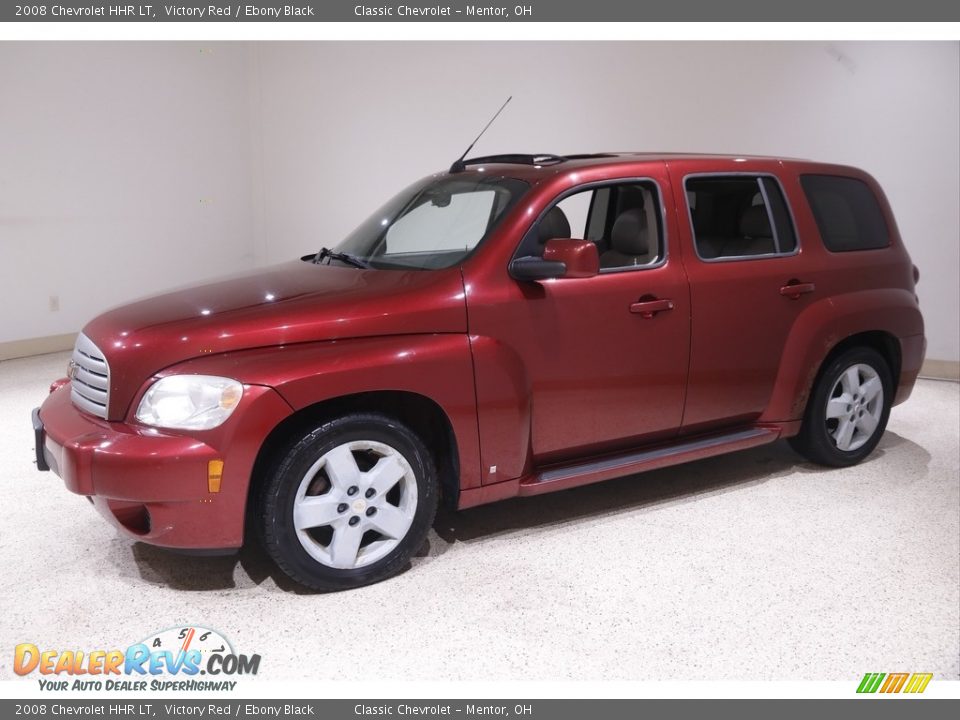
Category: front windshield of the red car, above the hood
[434,223]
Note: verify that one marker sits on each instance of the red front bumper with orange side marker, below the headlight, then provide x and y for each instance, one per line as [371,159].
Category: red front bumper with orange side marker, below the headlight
[152,484]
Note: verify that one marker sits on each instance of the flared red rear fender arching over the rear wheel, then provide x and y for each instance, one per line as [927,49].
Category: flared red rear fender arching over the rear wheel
[826,323]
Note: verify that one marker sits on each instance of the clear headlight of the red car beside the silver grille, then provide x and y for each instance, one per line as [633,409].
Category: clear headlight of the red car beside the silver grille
[189,402]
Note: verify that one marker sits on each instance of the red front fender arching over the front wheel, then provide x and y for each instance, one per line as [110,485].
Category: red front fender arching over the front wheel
[438,367]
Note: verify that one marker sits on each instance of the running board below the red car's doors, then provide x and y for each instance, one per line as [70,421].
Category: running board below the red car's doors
[559,478]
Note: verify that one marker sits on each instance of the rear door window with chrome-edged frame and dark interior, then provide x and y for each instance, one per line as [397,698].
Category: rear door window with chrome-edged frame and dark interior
[739,216]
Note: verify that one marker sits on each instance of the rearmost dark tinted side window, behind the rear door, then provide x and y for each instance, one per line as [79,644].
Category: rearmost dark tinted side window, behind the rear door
[847,213]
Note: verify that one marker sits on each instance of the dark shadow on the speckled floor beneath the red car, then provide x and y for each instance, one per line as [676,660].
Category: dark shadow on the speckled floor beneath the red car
[644,492]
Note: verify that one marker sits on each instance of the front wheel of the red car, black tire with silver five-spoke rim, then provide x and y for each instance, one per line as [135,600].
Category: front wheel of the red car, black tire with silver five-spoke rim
[296,551]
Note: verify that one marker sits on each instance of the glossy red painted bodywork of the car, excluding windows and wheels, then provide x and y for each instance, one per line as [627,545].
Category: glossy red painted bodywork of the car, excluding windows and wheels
[532,376]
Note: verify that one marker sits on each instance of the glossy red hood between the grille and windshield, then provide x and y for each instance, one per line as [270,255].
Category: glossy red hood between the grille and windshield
[296,302]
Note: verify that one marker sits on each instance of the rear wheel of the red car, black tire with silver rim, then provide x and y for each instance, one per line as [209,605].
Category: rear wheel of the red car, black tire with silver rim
[848,410]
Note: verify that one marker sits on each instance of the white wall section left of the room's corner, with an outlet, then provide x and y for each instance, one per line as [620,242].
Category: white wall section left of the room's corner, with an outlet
[124,169]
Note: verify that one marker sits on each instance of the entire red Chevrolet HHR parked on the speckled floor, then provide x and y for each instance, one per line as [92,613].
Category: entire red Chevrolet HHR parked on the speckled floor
[517,325]
